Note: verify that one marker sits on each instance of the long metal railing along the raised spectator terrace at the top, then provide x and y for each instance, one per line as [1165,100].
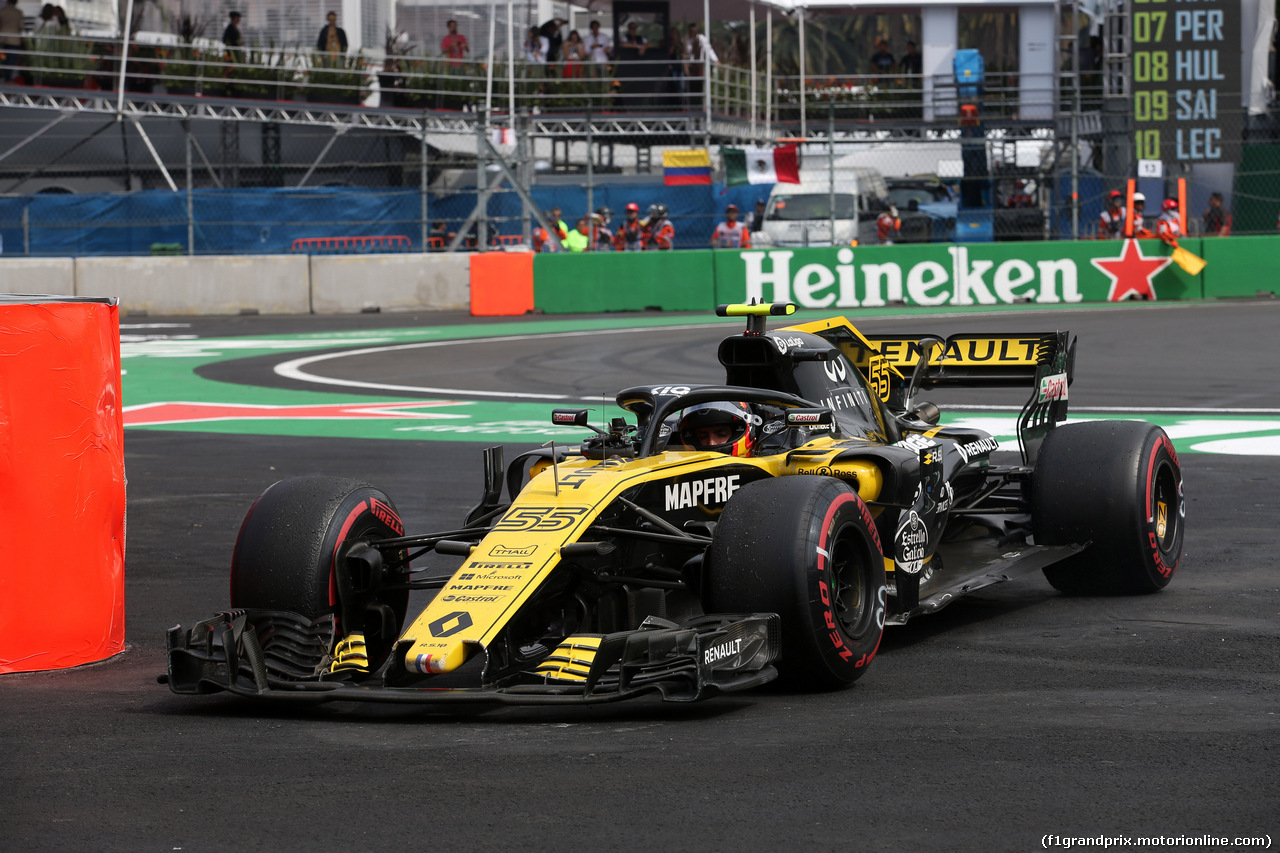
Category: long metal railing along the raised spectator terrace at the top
[438,84]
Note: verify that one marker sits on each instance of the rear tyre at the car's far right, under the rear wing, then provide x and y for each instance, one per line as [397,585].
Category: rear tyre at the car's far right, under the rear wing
[1118,486]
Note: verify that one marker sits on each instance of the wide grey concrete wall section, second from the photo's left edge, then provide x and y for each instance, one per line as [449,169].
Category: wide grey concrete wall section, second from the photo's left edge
[214,285]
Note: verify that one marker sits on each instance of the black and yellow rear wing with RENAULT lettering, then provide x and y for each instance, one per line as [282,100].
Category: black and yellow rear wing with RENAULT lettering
[897,367]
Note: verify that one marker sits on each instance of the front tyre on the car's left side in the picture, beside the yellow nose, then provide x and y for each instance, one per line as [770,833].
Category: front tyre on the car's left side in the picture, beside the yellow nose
[289,556]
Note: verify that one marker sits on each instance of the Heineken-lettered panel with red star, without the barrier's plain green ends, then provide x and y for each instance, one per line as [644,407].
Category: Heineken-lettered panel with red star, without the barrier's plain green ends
[936,275]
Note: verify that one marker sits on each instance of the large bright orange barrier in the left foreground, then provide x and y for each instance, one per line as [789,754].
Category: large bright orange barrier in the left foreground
[62,483]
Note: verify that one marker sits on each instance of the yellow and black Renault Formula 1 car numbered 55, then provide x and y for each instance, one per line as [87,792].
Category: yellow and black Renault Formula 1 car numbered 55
[772,526]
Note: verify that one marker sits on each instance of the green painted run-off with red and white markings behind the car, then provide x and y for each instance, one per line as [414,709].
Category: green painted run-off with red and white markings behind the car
[163,391]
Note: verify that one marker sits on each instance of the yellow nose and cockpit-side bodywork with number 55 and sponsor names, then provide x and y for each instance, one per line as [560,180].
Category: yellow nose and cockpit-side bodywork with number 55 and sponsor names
[556,509]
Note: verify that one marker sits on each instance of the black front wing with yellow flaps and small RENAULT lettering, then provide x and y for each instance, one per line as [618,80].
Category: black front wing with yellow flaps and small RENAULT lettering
[277,655]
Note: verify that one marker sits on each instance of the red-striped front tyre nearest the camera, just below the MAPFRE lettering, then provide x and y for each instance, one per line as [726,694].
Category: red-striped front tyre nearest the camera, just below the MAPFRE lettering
[807,549]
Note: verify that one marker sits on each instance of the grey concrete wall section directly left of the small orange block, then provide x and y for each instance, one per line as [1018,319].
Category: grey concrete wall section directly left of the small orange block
[351,284]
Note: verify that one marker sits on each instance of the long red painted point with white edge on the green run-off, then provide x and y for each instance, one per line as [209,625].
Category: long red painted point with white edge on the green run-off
[186,413]
